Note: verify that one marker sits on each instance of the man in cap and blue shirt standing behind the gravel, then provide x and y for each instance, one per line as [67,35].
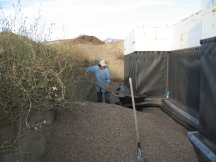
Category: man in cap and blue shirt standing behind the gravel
[102,76]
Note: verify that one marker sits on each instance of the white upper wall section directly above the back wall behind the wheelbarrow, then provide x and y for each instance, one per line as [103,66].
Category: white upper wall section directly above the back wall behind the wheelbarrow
[148,38]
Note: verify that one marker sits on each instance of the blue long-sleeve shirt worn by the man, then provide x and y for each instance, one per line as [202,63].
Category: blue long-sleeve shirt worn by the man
[102,77]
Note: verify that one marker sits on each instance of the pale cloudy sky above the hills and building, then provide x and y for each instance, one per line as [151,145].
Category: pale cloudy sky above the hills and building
[101,18]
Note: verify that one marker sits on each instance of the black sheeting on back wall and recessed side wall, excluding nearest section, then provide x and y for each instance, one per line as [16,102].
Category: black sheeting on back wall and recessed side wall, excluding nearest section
[154,73]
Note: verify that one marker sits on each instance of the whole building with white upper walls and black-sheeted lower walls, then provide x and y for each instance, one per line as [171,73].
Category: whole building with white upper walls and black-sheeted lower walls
[177,65]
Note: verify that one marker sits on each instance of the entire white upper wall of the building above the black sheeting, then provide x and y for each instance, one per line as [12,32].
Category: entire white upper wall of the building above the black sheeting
[185,34]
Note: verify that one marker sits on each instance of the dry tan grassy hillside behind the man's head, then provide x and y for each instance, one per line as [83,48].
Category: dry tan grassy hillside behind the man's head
[111,52]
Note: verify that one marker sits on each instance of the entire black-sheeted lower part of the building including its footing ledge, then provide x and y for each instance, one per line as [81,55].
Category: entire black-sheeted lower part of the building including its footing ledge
[184,80]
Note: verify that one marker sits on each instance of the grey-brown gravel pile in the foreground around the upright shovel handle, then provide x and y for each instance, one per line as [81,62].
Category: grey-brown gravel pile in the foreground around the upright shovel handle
[92,132]
